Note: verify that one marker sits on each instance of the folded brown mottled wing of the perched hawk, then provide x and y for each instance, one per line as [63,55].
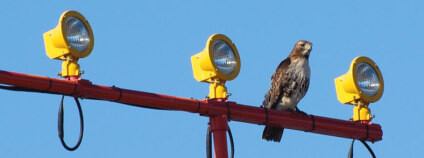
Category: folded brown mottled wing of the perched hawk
[278,82]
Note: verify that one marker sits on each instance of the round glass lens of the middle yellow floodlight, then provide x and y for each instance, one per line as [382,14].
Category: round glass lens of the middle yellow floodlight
[224,57]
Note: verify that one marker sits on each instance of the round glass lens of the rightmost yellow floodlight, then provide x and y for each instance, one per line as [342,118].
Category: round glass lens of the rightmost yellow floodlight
[367,79]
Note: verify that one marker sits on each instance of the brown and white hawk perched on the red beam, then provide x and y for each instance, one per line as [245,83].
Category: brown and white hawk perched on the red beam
[289,84]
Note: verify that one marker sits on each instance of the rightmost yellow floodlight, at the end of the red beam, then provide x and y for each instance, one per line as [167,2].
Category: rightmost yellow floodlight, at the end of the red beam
[361,85]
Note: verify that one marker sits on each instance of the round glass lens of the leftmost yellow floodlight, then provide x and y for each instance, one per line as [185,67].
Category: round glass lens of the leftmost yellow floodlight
[77,33]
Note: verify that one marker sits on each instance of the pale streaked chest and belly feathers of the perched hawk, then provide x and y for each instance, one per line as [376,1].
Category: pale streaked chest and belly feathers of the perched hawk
[296,83]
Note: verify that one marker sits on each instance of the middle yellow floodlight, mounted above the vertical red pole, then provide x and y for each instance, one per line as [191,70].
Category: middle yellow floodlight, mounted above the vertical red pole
[217,63]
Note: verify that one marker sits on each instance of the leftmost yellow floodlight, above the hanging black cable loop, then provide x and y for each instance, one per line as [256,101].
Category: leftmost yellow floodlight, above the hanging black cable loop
[70,40]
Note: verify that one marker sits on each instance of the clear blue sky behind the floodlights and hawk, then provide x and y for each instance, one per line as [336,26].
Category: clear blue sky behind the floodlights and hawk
[146,46]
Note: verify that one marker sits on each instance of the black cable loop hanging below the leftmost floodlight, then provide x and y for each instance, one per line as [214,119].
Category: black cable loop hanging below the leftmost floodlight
[60,125]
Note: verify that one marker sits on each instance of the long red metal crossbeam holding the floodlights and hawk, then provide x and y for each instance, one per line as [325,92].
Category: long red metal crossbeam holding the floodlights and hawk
[210,108]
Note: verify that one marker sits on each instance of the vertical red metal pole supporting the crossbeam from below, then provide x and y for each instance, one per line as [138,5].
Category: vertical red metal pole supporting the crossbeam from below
[219,127]
